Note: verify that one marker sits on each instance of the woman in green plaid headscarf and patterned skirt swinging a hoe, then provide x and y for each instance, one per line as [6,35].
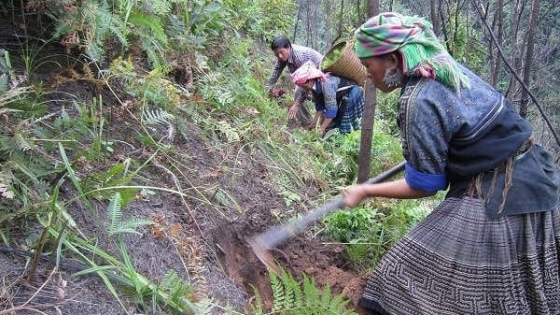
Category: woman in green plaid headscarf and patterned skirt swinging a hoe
[492,246]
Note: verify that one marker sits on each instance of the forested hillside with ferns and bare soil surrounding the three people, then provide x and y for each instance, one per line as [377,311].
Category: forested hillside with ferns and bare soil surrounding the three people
[139,150]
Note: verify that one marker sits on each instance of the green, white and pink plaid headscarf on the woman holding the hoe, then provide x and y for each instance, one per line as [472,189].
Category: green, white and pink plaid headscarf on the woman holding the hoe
[414,38]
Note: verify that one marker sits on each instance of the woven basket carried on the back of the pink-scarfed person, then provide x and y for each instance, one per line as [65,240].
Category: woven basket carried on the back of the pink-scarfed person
[347,65]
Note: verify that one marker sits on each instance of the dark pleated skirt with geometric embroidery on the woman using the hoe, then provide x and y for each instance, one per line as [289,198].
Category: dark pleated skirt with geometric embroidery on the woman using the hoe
[458,261]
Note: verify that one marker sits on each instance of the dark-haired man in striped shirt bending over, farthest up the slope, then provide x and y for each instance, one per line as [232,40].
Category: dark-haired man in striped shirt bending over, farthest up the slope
[293,56]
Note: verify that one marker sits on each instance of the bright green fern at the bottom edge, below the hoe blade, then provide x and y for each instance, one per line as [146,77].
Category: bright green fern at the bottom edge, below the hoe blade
[291,298]
